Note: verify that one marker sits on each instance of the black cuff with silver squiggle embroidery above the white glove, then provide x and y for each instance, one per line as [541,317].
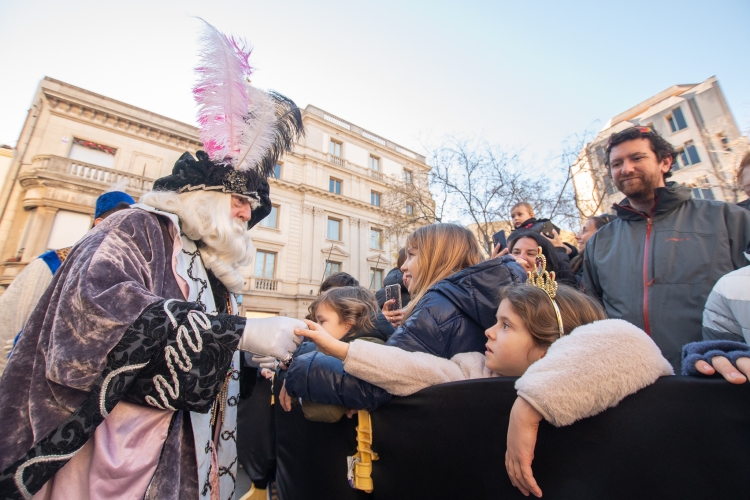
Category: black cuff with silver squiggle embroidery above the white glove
[195,355]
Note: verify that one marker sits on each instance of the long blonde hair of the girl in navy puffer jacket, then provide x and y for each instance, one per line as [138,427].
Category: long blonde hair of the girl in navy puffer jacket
[442,250]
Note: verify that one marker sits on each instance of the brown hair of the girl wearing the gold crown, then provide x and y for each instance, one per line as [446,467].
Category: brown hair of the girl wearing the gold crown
[535,309]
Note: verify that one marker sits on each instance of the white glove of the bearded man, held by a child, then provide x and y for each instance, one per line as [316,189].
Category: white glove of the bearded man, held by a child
[272,336]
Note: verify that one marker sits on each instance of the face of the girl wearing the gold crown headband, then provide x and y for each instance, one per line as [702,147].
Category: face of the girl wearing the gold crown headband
[510,348]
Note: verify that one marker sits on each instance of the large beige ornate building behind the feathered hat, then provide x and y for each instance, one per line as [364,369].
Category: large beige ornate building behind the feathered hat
[326,194]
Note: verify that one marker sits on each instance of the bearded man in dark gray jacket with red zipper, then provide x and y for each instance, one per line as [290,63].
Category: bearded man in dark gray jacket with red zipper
[655,265]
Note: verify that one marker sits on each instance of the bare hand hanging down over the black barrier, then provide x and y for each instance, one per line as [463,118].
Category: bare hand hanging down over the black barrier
[522,431]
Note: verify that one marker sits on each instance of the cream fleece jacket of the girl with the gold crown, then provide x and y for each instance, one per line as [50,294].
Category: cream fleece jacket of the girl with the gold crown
[582,374]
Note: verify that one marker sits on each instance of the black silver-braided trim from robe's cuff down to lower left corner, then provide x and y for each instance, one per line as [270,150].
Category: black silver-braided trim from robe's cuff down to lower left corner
[132,366]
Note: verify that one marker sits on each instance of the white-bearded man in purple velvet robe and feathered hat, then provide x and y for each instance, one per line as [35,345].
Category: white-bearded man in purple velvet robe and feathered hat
[124,382]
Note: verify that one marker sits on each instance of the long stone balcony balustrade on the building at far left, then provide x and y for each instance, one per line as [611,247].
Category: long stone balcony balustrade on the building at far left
[90,172]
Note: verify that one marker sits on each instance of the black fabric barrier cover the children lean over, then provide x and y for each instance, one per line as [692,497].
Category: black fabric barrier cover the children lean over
[680,438]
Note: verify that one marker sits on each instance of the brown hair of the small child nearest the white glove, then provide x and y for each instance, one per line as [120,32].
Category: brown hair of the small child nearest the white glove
[353,304]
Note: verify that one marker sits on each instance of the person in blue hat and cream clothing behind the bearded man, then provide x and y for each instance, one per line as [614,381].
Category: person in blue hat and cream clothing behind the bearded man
[27,288]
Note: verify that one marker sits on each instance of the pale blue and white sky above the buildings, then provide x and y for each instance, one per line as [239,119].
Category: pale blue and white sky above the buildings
[526,75]
